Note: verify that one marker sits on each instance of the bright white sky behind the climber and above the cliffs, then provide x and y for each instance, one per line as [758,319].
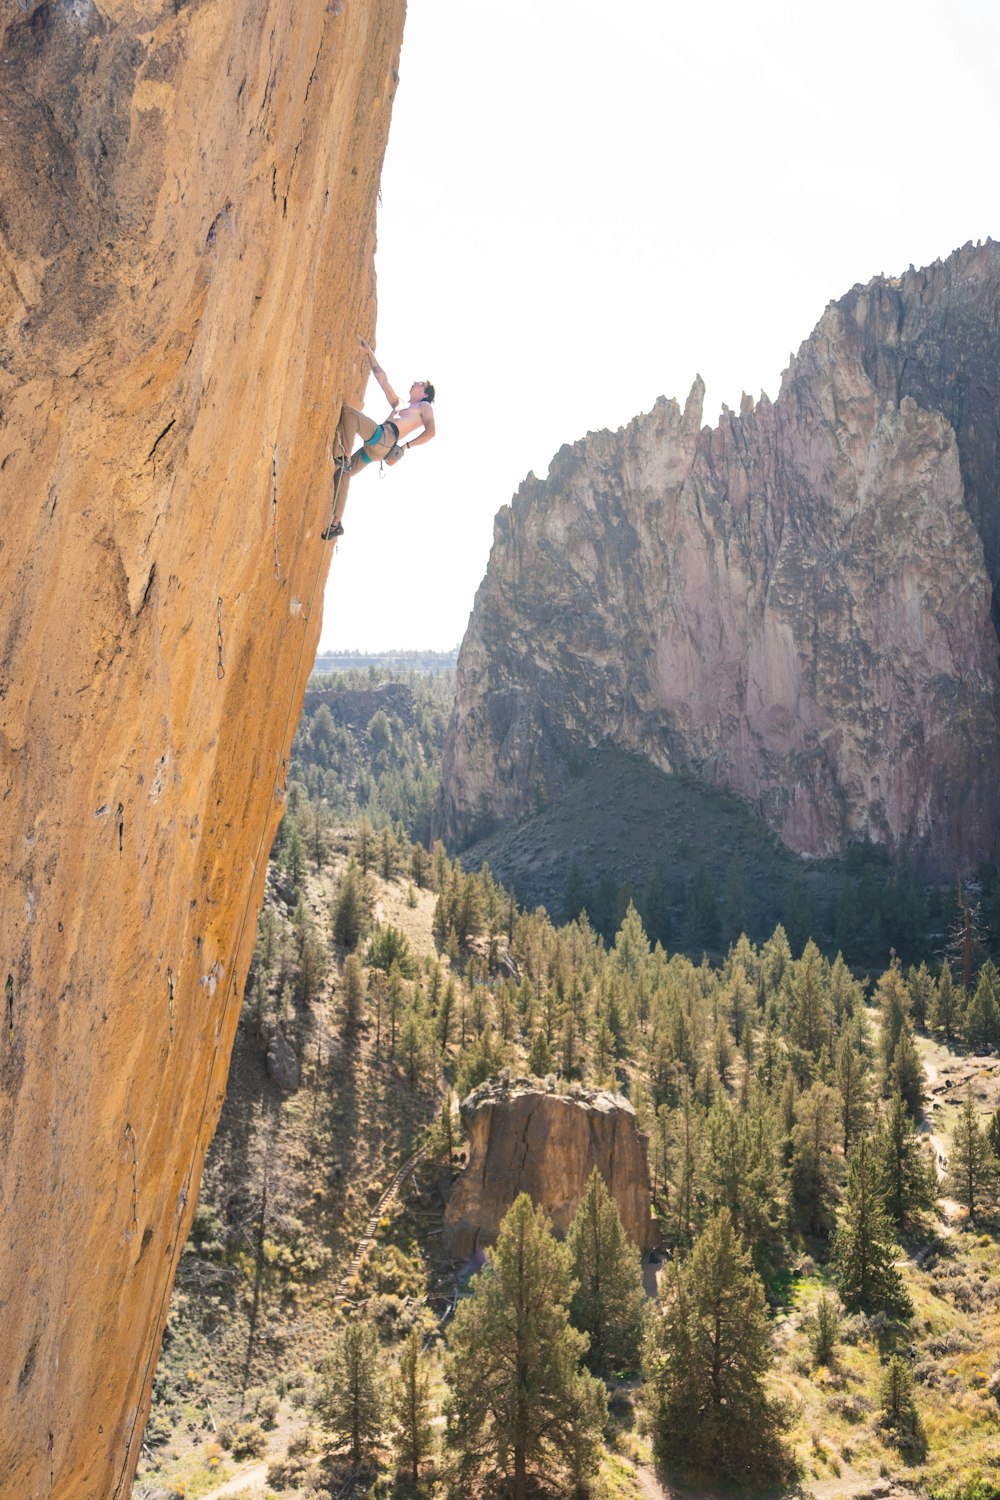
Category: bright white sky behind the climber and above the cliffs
[585,203]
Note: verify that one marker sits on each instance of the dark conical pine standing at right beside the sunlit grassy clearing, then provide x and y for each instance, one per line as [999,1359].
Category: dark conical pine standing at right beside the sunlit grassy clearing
[864,1246]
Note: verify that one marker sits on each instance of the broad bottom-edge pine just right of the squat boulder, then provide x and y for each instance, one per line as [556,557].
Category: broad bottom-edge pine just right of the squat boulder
[707,1358]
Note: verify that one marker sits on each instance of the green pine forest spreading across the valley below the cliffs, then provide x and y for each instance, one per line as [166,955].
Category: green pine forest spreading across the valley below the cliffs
[782,1093]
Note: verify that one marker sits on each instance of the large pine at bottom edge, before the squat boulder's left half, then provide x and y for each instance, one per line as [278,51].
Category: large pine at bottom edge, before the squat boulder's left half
[518,1403]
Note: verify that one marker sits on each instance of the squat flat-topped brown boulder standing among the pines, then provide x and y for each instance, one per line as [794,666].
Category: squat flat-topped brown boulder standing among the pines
[525,1139]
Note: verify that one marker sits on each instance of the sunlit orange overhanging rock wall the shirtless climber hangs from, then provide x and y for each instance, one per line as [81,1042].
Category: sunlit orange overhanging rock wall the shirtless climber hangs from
[187,236]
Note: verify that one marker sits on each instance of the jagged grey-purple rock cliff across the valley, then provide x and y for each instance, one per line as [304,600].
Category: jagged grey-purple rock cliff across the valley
[795,605]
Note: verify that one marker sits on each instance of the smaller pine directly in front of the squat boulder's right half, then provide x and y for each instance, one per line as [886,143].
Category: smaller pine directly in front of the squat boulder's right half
[609,1300]
